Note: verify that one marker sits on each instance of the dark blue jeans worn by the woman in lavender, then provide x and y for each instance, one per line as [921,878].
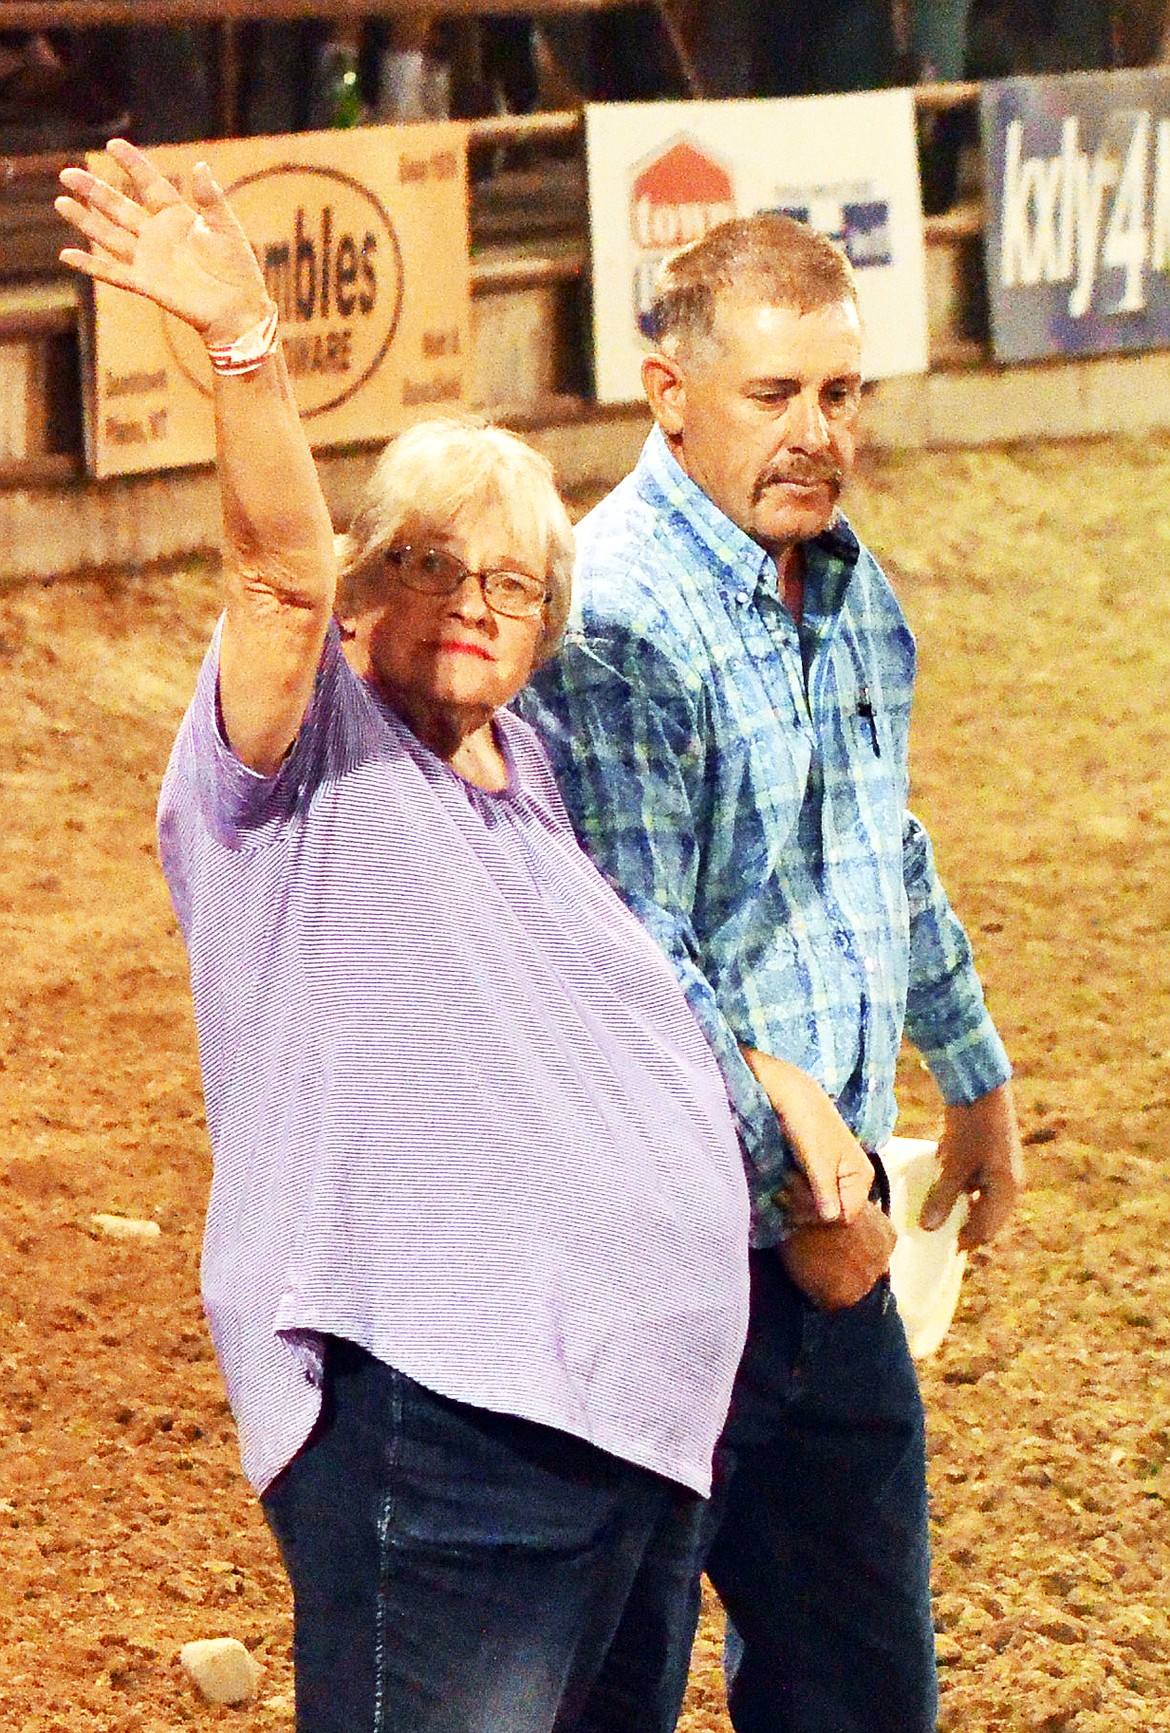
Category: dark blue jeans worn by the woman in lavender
[465,1573]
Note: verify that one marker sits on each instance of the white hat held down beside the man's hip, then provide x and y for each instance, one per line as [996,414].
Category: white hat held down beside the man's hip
[925,1269]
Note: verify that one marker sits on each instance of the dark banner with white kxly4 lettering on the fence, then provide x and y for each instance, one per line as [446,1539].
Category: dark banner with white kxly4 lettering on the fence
[1079,214]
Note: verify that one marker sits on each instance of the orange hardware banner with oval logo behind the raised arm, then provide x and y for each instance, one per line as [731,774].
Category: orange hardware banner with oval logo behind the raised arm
[363,238]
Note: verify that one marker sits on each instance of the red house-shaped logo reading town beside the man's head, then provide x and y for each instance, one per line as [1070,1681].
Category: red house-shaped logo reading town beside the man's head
[677,197]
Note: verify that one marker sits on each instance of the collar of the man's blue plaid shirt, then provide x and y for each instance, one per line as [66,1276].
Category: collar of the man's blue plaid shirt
[739,564]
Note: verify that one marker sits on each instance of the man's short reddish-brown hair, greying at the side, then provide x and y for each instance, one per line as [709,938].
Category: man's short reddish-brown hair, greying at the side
[769,259]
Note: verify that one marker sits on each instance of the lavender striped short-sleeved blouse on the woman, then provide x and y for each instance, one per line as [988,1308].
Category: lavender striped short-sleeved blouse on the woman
[458,1107]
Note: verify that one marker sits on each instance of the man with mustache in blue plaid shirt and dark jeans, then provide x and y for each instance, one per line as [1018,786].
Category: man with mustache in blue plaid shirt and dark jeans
[729,722]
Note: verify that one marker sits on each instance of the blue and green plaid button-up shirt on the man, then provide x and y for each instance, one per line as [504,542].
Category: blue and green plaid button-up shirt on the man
[744,786]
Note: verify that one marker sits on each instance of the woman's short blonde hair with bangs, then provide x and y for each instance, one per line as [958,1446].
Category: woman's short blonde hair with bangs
[441,472]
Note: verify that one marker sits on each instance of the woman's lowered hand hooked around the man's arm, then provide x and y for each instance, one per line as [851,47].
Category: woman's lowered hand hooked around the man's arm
[836,1167]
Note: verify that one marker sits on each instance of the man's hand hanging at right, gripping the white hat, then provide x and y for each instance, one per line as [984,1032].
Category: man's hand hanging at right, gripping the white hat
[980,1155]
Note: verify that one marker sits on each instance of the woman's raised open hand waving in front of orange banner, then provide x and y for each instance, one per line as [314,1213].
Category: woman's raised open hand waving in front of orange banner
[192,259]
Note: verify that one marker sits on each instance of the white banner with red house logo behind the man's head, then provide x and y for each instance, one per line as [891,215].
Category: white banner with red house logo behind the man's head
[665,172]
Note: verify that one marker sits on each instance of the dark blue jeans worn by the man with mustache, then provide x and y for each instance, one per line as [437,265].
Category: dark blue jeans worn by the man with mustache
[821,1548]
